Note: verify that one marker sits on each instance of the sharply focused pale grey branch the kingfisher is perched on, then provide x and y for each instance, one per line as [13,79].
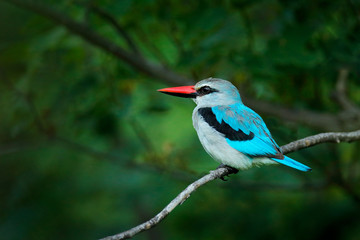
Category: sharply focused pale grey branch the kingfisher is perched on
[222,172]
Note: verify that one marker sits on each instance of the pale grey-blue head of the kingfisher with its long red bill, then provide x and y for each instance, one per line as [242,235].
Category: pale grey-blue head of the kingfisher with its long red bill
[208,92]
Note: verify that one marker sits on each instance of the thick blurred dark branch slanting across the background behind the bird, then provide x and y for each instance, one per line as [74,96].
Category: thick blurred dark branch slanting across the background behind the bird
[324,121]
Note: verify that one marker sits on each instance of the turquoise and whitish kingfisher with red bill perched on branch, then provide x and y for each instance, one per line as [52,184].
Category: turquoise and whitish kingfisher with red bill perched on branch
[233,134]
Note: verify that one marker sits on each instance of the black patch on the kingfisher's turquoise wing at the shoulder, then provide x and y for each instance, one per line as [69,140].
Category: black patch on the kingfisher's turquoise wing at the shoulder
[223,127]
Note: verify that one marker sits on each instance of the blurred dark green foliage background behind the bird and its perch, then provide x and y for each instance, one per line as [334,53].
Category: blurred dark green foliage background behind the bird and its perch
[88,148]
